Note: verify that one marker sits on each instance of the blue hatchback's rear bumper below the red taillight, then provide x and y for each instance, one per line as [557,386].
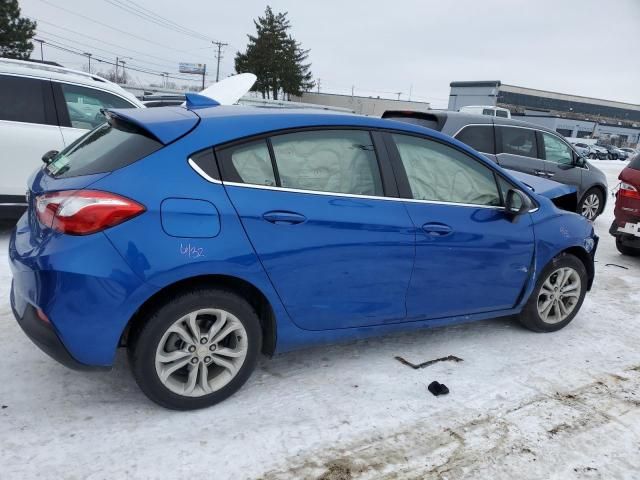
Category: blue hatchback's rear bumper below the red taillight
[82,285]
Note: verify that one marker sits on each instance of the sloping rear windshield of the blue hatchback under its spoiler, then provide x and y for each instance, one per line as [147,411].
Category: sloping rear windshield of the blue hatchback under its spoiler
[106,148]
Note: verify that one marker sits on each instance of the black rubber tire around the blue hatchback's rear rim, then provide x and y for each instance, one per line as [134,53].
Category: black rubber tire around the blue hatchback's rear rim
[145,339]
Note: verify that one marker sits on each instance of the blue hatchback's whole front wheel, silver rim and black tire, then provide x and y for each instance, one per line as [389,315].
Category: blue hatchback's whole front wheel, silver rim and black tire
[558,295]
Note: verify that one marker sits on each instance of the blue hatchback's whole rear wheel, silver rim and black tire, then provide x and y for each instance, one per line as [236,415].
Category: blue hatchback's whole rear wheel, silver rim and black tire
[196,350]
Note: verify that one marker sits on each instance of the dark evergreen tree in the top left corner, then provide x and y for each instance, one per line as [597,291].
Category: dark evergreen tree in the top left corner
[15,32]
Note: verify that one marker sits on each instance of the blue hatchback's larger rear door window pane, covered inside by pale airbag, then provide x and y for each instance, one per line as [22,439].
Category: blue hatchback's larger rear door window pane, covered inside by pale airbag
[337,161]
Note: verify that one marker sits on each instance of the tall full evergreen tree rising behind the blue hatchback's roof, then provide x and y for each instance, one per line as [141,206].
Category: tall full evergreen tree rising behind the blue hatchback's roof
[275,58]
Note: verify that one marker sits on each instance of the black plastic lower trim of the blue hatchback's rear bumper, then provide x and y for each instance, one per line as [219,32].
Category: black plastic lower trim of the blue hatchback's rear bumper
[45,337]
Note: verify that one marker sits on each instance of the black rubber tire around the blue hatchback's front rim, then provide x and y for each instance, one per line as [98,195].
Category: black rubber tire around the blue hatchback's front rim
[530,317]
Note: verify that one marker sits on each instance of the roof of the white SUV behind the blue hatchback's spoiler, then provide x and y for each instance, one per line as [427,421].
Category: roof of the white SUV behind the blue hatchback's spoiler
[52,72]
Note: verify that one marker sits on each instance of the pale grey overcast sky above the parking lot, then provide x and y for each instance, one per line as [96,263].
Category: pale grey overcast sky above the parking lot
[583,47]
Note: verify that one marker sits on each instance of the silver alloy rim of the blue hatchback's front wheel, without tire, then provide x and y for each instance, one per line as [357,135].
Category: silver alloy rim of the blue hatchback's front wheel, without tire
[559,295]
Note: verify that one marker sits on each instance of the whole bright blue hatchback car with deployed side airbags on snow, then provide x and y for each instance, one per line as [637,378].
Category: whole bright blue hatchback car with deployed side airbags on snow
[199,237]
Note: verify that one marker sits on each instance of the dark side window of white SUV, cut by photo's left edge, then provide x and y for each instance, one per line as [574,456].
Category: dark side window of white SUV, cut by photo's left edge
[26,100]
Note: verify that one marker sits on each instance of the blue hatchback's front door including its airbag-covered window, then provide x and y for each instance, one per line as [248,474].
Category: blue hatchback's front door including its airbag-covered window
[470,256]
